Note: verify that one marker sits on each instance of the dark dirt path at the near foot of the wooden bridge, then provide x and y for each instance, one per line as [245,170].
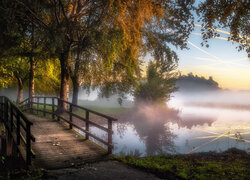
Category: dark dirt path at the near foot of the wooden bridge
[105,170]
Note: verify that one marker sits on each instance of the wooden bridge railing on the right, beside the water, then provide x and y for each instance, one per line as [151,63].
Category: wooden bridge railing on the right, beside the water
[51,105]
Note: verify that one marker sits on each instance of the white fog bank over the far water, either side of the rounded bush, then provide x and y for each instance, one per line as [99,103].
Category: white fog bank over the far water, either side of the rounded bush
[228,99]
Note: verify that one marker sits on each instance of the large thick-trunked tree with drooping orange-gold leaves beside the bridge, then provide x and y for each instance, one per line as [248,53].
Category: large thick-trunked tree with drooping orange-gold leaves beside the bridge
[64,23]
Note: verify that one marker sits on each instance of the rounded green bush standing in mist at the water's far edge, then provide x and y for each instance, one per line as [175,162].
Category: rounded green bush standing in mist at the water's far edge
[159,83]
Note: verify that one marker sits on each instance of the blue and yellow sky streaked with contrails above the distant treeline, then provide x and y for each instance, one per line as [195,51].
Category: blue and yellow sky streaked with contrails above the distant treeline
[222,61]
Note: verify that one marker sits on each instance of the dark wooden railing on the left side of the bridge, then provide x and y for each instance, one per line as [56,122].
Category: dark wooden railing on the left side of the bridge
[18,126]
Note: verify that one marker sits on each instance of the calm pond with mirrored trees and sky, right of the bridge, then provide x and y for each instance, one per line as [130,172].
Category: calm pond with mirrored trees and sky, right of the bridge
[187,129]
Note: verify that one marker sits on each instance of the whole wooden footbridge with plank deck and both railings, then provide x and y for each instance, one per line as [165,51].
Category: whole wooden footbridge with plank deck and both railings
[51,137]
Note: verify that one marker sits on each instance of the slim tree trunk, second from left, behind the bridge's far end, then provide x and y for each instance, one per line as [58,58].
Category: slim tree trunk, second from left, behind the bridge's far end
[31,81]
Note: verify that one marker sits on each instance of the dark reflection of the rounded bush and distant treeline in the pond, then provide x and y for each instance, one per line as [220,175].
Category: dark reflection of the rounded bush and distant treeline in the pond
[152,124]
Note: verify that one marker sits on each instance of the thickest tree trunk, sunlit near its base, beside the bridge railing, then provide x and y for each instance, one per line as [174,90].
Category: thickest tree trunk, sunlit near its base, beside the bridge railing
[64,91]
